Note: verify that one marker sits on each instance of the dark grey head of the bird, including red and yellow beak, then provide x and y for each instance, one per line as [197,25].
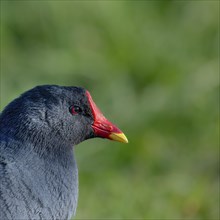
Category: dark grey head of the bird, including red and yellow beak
[58,113]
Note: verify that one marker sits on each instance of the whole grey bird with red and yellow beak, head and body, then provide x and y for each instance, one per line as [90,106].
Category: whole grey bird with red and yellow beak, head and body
[38,172]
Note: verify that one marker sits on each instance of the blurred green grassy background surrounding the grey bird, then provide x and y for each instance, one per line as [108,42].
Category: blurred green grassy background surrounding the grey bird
[152,67]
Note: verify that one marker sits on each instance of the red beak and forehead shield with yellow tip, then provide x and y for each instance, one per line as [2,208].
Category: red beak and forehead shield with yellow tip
[102,127]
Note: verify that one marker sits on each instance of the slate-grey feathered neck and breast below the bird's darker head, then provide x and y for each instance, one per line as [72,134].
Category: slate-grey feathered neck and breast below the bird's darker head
[33,187]
